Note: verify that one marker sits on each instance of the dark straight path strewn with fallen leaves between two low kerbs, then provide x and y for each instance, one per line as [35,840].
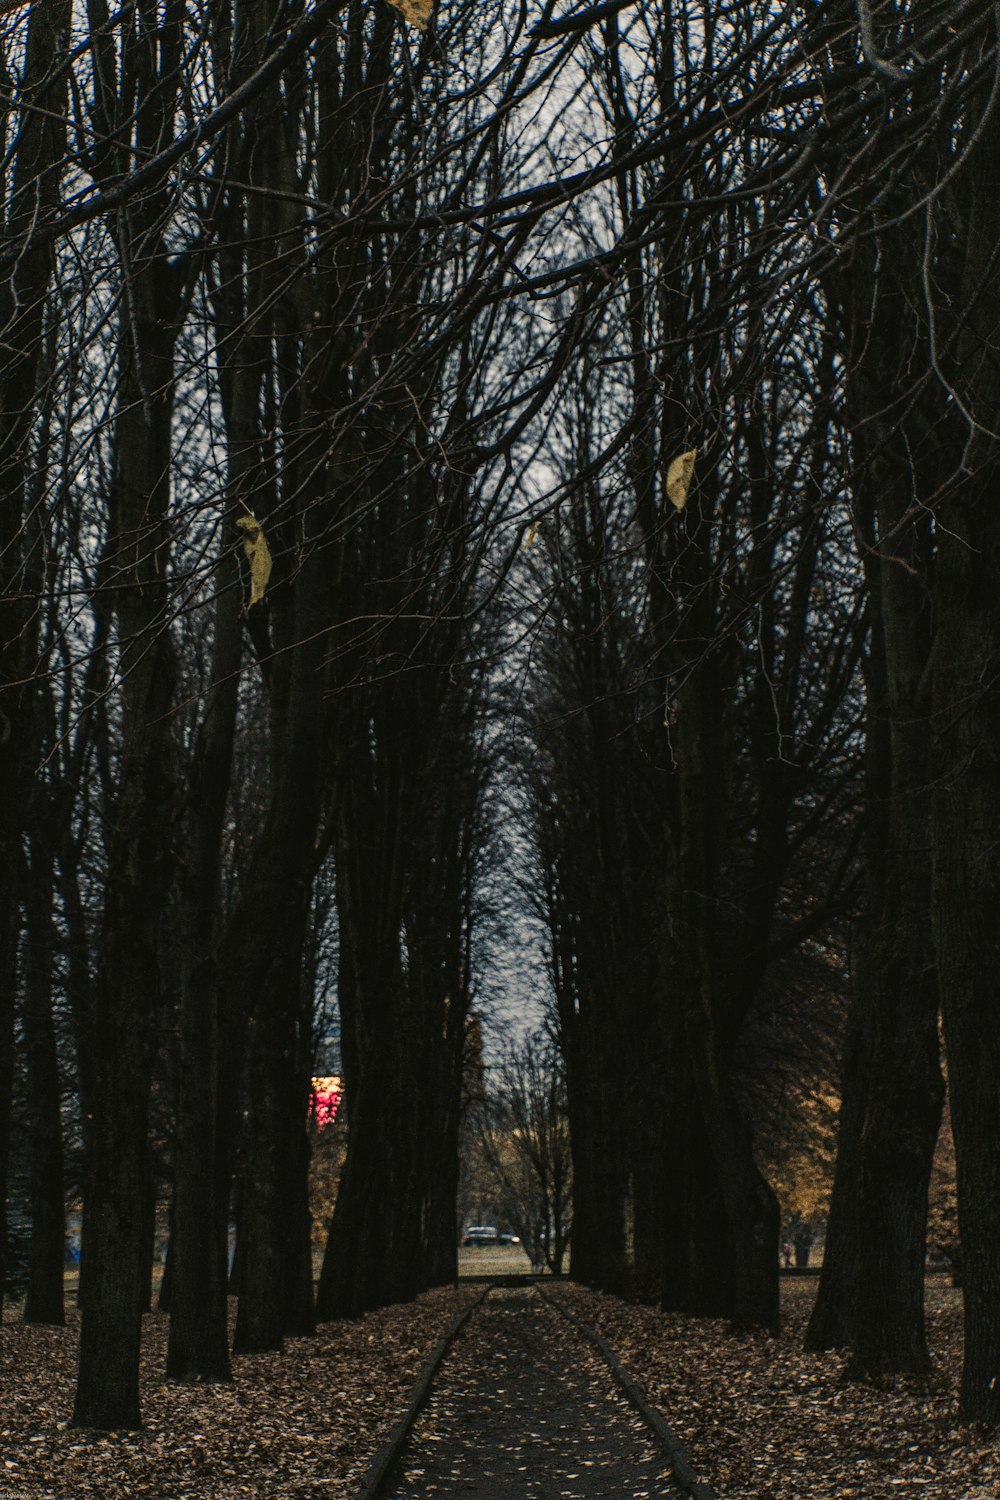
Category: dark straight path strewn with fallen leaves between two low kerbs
[522,1409]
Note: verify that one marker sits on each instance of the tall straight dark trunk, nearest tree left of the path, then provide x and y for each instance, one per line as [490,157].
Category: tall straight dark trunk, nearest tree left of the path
[116,1243]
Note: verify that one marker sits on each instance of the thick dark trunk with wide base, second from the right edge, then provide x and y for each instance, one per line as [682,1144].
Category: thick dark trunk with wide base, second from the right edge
[893,1085]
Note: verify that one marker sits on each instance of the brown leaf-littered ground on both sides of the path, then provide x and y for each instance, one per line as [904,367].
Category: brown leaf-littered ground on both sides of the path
[761,1420]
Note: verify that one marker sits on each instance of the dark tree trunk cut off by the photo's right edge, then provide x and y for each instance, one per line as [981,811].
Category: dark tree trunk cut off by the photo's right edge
[966,673]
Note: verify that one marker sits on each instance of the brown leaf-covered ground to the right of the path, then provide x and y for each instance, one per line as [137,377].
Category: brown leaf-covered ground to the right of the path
[764,1421]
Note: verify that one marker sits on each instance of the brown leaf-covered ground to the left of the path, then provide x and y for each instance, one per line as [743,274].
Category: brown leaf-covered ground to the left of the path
[305,1424]
